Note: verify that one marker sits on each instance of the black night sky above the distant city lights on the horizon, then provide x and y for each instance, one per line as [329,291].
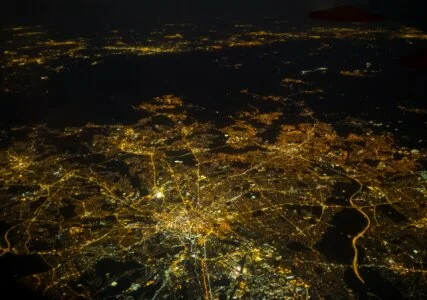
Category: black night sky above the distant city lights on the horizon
[87,12]
